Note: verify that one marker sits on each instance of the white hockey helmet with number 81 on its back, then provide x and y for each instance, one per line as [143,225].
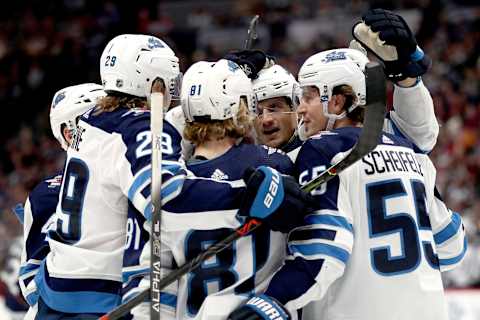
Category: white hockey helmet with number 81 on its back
[213,90]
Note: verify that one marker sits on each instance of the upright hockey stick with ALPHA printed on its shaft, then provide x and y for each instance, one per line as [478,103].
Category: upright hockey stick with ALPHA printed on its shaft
[156,127]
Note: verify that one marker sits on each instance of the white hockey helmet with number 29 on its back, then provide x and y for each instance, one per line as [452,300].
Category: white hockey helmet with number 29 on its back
[131,62]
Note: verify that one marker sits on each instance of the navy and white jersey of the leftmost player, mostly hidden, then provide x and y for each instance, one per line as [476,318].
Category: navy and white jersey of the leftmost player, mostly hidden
[37,215]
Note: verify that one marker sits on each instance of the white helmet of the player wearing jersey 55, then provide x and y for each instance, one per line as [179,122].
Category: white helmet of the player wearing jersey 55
[329,69]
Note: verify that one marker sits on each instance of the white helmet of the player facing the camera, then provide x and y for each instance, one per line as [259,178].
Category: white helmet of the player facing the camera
[277,82]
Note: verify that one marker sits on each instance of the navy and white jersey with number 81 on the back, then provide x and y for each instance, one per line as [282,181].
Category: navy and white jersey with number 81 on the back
[206,212]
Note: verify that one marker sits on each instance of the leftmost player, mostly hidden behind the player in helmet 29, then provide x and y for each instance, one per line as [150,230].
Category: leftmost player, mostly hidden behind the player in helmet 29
[37,215]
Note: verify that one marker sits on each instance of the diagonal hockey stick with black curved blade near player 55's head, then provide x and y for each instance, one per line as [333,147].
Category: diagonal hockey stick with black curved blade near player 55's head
[368,140]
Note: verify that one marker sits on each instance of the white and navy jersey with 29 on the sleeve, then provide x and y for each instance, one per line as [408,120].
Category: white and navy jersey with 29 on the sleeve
[108,164]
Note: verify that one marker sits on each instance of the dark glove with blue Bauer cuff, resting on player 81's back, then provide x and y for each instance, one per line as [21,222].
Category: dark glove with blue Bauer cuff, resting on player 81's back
[275,199]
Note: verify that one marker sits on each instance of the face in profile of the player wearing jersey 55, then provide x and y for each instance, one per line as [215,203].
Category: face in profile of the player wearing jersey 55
[311,110]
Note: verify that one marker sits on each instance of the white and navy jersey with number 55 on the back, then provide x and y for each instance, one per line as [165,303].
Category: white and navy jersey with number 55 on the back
[378,227]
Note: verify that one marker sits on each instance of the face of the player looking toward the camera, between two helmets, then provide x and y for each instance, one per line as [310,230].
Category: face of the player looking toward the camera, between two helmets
[275,122]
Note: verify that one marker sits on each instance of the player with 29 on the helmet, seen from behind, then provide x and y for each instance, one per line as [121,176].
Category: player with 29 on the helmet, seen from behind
[107,169]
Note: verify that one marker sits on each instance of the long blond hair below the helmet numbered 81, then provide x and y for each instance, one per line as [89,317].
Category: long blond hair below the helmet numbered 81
[200,132]
